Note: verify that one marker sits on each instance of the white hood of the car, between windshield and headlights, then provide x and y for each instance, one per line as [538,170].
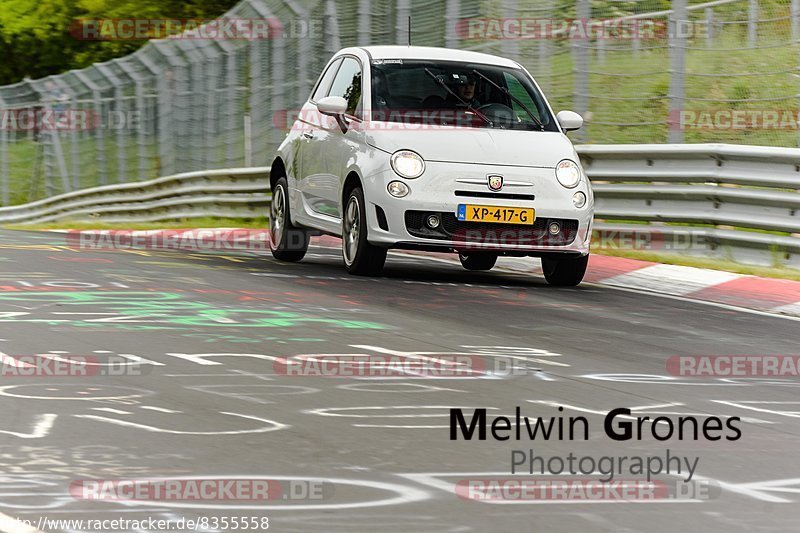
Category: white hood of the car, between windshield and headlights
[478,145]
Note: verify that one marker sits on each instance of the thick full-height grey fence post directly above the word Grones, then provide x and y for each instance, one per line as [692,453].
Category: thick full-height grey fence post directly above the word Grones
[677,53]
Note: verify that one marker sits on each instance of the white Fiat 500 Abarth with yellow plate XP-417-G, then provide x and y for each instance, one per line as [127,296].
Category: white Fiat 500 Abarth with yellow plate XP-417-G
[433,149]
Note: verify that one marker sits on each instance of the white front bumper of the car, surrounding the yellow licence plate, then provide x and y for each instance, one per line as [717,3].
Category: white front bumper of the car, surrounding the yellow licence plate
[401,222]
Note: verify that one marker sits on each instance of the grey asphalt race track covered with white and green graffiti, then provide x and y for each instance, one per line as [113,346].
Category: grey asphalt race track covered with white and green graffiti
[209,401]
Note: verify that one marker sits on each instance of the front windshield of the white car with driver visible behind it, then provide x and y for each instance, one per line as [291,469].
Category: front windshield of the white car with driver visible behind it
[457,94]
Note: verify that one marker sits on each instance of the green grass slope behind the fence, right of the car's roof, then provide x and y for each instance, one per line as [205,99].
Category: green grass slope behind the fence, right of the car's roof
[713,76]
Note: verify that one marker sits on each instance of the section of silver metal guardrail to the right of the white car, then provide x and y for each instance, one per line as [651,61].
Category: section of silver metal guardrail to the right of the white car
[716,200]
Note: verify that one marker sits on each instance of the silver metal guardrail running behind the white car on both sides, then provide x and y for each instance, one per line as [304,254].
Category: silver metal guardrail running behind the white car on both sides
[725,201]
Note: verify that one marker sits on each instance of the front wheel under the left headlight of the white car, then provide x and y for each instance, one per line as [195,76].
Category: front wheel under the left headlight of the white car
[360,257]
